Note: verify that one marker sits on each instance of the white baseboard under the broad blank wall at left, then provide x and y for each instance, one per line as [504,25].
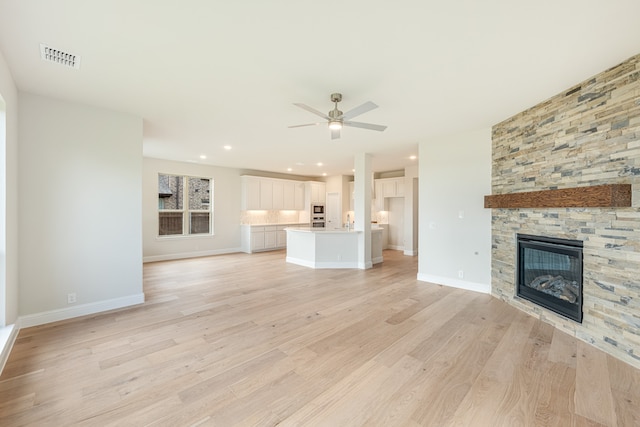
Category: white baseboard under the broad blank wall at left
[79,310]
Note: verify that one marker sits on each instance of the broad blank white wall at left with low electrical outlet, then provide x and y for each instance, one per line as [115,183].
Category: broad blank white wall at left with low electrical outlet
[80,174]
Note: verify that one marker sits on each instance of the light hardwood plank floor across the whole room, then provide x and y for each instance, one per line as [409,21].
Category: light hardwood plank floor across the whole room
[250,340]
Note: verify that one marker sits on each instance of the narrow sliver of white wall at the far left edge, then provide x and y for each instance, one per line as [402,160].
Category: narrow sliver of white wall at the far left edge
[9,200]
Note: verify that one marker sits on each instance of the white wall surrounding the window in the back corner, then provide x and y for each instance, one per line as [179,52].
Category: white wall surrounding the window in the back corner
[226,205]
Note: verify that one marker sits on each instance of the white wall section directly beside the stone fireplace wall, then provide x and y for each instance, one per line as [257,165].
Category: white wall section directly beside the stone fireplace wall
[455,175]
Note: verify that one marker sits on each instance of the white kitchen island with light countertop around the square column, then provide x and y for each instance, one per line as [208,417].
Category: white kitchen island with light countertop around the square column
[329,248]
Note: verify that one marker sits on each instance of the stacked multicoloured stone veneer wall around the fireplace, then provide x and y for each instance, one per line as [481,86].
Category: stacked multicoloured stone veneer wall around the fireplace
[588,135]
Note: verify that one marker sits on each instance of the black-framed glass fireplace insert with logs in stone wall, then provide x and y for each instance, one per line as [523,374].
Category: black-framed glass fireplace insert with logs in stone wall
[549,273]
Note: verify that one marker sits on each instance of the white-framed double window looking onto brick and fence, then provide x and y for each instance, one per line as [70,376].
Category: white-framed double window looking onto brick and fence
[184,205]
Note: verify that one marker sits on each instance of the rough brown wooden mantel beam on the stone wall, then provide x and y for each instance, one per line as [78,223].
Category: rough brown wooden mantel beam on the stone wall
[612,195]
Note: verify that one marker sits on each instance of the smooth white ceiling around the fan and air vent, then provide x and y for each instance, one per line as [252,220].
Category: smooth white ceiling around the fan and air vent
[204,74]
